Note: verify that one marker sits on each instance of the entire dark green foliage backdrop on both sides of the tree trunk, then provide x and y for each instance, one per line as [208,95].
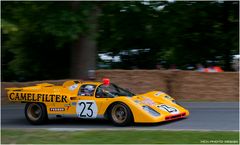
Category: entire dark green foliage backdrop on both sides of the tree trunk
[37,36]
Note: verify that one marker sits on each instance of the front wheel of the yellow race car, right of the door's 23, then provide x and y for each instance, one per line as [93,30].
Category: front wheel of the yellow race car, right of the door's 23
[120,114]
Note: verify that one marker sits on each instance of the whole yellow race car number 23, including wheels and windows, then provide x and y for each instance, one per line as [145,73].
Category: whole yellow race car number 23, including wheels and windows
[95,100]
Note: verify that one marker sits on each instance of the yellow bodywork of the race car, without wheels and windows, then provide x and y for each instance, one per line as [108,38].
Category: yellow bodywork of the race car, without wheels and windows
[65,100]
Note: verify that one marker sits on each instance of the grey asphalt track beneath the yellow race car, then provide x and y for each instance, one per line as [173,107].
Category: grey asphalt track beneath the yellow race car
[205,116]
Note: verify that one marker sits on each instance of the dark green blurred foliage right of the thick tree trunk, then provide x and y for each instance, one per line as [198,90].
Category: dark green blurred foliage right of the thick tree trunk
[179,33]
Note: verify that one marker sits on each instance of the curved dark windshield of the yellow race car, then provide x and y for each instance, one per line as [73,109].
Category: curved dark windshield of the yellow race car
[112,90]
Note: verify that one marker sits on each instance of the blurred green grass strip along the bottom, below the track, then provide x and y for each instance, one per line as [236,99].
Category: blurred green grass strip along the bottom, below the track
[33,136]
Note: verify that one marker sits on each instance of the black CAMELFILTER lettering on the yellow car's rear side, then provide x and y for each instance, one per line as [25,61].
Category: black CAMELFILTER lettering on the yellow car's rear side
[37,97]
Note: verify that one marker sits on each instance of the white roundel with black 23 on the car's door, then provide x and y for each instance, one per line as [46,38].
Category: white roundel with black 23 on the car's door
[86,109]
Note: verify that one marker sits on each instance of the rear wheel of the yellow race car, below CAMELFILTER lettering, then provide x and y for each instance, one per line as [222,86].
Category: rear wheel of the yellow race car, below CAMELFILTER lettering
[36,113]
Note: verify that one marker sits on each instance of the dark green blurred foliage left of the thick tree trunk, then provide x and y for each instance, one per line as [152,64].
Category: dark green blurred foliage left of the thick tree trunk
[40,48]
